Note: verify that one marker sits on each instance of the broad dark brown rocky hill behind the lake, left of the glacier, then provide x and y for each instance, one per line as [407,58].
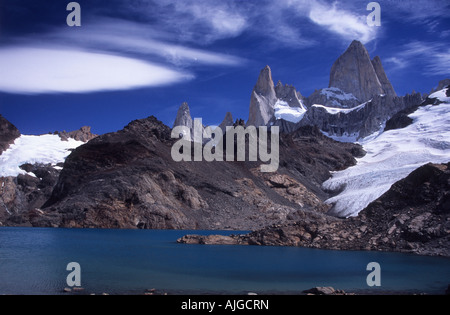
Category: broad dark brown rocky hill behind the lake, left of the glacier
[128,179]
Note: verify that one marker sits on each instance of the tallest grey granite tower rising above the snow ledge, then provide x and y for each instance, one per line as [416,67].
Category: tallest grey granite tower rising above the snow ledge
[354,72]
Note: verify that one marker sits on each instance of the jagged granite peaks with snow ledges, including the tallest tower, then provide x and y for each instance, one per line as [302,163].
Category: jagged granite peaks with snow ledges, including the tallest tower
[358,102]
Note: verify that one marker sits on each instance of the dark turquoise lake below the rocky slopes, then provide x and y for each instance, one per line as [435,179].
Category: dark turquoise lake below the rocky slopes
[34,261]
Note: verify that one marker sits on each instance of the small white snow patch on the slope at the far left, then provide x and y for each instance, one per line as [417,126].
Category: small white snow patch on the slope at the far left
[45,149]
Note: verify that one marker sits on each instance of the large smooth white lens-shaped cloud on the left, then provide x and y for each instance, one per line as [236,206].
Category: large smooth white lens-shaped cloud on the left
[31,70]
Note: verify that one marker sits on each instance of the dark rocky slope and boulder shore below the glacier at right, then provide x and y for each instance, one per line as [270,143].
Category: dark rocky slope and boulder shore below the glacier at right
[413,216]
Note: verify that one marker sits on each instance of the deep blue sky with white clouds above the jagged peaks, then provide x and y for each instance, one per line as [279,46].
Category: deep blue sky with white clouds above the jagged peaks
[133,59]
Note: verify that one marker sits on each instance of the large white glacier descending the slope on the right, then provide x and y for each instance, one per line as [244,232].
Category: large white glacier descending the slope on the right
[392,156]
